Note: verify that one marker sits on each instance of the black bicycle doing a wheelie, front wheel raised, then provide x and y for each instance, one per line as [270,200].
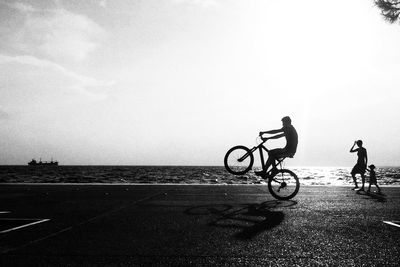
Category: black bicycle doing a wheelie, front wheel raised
[283,184]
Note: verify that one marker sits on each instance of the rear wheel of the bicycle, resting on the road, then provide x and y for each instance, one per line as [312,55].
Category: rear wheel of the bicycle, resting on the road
[284,185]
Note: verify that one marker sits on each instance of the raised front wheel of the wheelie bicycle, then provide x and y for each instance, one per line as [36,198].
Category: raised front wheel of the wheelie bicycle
[238,160]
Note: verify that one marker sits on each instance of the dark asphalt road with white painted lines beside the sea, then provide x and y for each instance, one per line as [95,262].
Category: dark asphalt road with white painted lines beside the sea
[204,225]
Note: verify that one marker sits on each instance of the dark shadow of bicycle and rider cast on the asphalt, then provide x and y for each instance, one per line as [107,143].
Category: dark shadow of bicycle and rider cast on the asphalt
[251,219]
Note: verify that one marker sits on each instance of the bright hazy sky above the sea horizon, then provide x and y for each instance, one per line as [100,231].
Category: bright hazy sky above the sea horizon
[179,82]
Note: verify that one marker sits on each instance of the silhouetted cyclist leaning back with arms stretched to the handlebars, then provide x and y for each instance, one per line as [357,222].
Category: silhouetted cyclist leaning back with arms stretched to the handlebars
[290,133]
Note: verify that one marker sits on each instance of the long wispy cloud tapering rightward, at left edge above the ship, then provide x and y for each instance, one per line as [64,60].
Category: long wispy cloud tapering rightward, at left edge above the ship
[37,76]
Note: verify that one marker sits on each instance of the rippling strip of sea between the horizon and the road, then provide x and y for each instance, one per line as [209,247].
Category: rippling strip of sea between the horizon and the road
[327,176]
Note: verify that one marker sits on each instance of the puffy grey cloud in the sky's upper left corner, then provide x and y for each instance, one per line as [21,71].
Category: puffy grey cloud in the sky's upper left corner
[57,34]
